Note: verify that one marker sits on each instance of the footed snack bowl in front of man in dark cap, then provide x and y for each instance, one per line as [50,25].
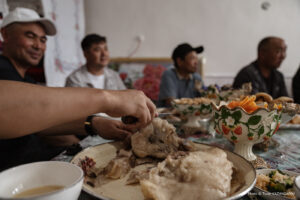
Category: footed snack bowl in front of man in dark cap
[194,109]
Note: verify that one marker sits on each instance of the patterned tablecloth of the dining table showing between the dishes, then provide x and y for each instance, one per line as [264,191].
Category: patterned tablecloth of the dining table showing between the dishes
[282,152]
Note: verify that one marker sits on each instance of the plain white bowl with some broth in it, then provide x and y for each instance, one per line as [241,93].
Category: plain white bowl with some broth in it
[39,174]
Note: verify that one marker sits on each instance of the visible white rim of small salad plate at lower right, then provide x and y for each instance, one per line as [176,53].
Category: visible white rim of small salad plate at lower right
[268,195]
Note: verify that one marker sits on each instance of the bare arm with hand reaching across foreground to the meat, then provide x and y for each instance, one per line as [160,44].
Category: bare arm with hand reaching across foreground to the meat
[27,108]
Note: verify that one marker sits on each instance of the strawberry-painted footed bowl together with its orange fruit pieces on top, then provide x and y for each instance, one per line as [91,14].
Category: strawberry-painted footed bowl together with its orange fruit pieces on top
[246,122]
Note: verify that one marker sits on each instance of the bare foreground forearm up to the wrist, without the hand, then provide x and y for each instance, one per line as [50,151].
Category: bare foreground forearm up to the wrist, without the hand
[27,108]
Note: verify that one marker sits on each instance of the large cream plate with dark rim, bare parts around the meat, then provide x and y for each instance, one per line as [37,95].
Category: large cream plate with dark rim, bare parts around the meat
[117,189]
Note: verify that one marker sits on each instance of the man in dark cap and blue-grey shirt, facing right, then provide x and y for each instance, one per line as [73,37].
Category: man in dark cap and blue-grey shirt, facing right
[183,80]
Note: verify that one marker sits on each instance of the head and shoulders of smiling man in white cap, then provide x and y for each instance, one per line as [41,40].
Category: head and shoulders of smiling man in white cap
[24,43]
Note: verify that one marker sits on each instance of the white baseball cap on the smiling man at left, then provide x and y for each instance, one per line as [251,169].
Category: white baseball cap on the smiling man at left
[25,15]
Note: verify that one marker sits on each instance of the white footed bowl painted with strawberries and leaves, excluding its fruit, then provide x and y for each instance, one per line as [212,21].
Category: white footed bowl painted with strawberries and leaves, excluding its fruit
[244,129]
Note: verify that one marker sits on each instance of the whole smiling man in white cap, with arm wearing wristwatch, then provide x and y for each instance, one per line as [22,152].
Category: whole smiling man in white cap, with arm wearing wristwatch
[24,43]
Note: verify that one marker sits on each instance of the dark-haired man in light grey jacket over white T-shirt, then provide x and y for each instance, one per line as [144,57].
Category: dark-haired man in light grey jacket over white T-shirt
[95,72]
